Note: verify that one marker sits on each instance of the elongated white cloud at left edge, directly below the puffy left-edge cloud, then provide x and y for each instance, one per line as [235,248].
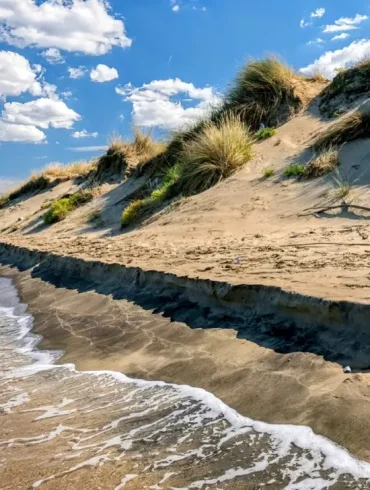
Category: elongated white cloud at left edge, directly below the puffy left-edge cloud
[43,113]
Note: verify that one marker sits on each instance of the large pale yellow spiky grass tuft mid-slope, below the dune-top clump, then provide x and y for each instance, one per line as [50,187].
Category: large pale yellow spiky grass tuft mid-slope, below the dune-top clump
[218,151]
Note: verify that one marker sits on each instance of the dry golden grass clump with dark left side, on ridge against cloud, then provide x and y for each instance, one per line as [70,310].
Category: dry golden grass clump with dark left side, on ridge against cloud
[122,155]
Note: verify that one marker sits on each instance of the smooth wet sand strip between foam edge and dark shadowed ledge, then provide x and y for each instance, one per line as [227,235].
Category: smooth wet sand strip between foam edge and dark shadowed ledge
[99,333]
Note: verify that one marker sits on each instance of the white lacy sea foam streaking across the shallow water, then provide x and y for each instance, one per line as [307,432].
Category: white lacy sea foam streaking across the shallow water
[199,409]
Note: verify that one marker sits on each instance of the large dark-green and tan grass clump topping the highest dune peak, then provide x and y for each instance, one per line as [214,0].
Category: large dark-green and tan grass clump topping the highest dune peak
[261,89]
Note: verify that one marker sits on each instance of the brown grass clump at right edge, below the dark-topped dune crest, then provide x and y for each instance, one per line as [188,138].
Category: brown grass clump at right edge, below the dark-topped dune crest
[353,127]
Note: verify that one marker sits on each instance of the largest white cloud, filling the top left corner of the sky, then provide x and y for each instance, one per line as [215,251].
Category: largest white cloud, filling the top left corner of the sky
[84,26]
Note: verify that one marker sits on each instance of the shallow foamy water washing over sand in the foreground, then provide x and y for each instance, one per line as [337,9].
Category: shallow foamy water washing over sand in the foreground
[64,429]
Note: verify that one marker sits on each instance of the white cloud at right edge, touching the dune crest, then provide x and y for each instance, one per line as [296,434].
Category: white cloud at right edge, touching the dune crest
[331,61]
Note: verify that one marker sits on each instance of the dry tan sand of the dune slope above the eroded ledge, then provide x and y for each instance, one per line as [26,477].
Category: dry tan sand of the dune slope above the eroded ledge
[244,230]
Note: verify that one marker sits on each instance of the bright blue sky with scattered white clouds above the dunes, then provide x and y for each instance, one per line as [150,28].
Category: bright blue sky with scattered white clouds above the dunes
[73,73]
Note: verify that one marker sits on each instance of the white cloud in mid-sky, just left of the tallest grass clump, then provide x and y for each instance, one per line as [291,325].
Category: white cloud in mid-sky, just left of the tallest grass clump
[152,104]
